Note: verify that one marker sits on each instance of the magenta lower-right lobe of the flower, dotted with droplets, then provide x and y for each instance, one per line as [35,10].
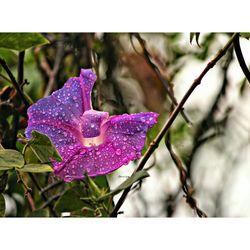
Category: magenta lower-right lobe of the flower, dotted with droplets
[124,139]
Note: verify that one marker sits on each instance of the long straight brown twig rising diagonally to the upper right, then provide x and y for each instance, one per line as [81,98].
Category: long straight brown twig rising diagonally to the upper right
[172,118]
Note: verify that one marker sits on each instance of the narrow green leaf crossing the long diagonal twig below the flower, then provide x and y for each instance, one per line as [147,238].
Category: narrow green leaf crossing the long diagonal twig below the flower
[131,180]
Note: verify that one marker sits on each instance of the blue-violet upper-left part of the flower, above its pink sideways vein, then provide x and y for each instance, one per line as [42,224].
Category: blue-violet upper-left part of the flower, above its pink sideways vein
[66,105]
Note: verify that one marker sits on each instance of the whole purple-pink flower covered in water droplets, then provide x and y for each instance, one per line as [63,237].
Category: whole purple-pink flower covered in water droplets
[88,140]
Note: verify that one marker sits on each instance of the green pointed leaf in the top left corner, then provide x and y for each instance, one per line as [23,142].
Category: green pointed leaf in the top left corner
[21,41]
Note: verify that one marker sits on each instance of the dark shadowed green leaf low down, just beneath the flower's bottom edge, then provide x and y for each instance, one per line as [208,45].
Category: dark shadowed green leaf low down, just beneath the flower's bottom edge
[70,200]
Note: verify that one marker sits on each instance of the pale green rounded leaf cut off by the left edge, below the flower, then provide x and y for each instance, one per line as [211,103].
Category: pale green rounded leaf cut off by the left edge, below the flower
[10,158]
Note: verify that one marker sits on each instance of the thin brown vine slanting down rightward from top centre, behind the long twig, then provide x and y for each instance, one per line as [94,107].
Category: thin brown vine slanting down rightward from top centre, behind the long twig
[165,83]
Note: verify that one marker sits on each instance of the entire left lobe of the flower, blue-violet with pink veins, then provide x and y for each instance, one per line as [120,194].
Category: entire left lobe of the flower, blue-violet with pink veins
[59,115]
